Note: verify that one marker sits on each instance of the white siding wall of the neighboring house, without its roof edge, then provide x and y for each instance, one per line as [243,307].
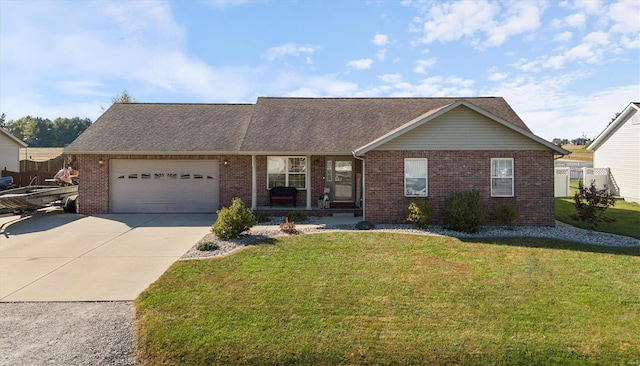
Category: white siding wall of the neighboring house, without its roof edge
[621,153]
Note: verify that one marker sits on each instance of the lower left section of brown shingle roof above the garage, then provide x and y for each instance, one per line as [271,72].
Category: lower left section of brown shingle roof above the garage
[166,128]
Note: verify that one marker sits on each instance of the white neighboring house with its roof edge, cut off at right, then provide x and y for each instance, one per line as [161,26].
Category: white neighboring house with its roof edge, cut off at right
[618,148]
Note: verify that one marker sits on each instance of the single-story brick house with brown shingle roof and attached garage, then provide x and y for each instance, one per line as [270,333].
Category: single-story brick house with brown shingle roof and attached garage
[373,153]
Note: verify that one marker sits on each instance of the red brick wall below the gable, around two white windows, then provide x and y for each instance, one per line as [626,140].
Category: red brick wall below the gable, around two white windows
[458,171]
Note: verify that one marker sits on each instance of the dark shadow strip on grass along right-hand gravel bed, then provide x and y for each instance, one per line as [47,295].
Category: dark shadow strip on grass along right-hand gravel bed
[556,244]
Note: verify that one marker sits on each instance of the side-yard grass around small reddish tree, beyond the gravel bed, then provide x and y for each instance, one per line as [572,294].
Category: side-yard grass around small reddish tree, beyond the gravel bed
[627,215]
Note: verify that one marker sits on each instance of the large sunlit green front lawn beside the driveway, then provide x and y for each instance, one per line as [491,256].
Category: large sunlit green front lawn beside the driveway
[395,299]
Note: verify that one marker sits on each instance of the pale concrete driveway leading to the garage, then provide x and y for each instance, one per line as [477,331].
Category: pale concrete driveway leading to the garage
[55,256]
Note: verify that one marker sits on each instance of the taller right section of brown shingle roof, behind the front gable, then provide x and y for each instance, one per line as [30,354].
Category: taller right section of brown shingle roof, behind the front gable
[340,125]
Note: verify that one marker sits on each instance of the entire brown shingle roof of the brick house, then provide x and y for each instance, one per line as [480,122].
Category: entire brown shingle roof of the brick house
[273,125]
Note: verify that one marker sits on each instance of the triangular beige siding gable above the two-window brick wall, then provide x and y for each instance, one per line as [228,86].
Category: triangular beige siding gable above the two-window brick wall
[462,129]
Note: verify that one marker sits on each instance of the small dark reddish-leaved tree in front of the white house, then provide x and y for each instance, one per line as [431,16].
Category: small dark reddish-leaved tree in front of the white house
[590,203]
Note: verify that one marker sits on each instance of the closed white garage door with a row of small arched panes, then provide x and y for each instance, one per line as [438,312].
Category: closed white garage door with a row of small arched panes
[178,186]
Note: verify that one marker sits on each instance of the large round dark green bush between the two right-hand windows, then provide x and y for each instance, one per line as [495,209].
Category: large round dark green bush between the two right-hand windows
[464,212]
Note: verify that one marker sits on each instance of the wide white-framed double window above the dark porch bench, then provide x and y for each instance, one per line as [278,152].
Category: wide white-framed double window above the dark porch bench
[288,171]
